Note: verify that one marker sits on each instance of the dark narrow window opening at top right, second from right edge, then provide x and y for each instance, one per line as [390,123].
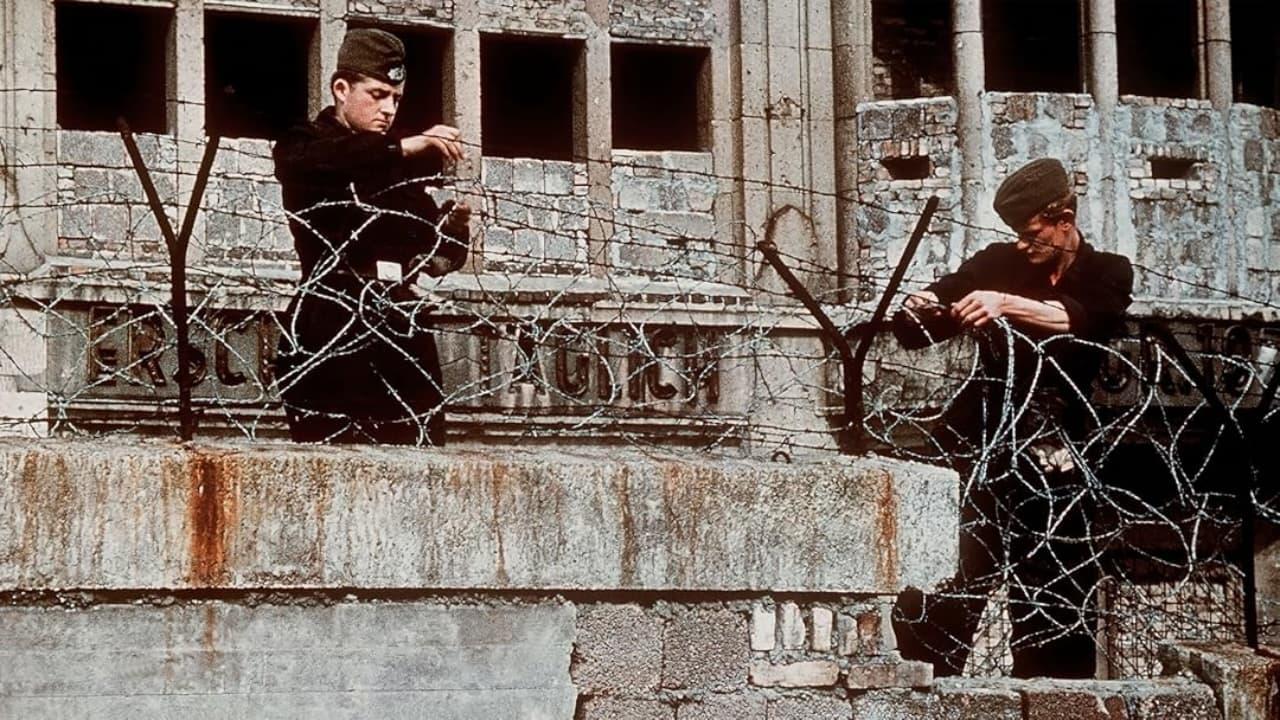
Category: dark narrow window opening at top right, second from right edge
[1156,43]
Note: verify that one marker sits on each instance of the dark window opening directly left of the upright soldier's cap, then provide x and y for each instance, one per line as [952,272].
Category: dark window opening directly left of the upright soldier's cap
[257,93]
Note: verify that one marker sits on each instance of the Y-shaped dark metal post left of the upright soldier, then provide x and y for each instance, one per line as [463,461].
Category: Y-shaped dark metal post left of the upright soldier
[177,247]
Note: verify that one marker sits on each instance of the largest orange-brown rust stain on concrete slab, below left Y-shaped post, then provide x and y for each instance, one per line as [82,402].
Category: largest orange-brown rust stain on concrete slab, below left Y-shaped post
[212,514]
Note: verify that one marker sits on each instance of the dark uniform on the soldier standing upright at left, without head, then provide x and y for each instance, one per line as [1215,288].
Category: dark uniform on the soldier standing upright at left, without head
[355,347]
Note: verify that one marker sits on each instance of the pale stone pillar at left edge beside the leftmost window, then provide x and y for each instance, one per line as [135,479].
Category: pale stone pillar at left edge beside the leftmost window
[29,140]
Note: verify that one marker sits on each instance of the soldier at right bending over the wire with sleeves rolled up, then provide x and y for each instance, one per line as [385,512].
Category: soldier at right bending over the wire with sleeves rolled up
[1053,289]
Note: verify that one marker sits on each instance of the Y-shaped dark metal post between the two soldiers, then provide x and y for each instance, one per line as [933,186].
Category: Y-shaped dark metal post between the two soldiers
[852,362]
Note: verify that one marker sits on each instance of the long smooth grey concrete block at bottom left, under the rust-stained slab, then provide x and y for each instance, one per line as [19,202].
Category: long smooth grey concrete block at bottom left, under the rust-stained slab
[153,660]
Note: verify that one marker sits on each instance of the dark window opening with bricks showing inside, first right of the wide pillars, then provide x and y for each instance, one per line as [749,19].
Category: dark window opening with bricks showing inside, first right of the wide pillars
[912,44]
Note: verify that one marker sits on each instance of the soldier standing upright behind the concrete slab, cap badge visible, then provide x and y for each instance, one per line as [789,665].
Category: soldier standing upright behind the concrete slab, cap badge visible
[356,362]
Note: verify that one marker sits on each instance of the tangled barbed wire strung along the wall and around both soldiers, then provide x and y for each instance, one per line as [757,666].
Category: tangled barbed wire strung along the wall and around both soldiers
[694,347]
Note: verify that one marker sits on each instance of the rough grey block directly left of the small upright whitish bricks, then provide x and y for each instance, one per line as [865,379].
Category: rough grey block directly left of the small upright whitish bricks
[706,649]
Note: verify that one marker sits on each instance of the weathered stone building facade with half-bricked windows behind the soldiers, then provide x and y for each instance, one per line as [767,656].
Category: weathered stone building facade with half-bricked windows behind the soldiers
[668,140]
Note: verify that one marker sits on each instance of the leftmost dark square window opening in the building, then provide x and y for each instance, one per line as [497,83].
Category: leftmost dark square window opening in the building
[112,65]
